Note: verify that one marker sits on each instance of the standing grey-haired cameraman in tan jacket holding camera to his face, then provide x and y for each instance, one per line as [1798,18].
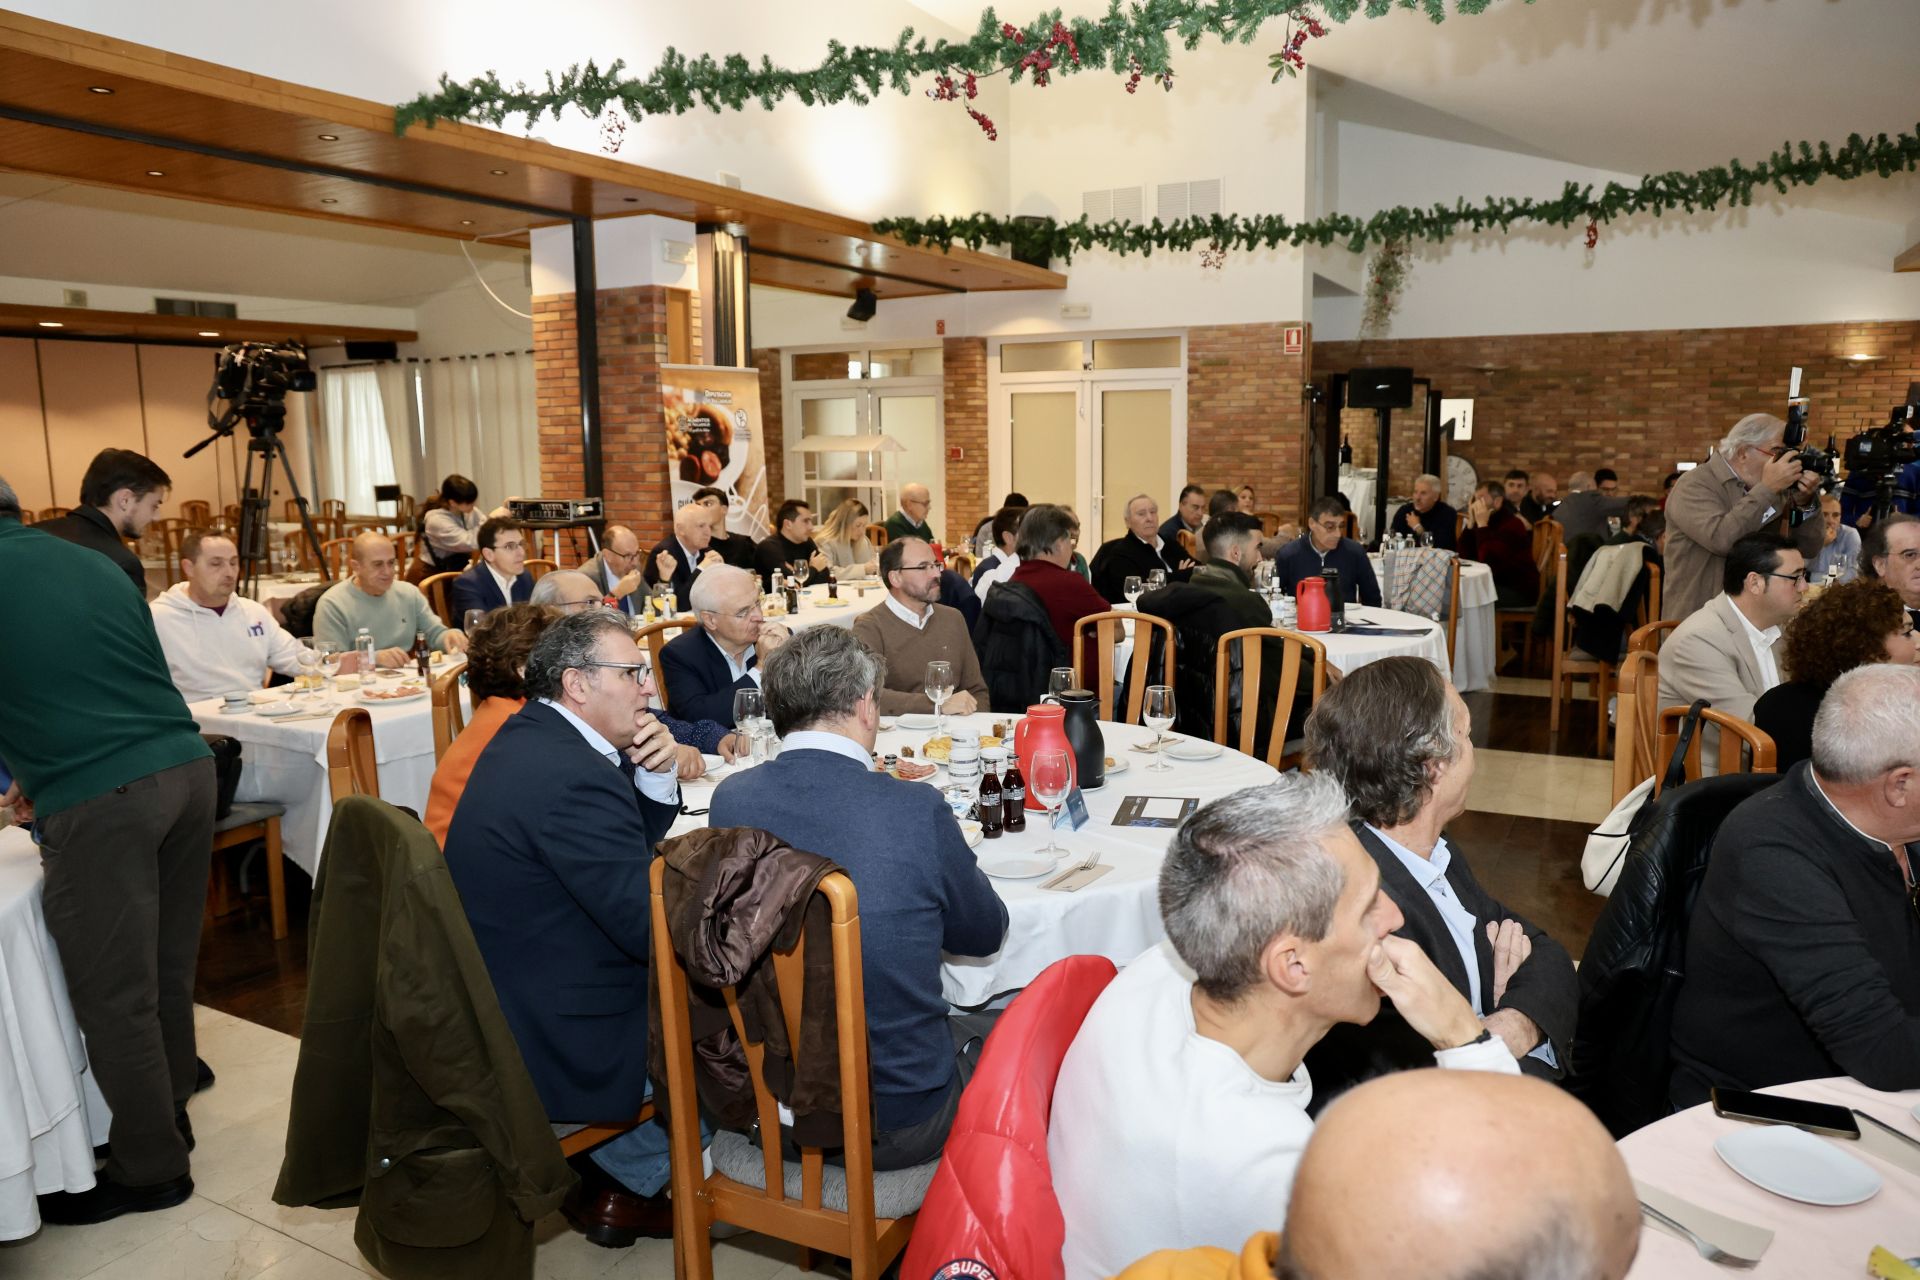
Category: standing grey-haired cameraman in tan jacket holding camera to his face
[1744,486]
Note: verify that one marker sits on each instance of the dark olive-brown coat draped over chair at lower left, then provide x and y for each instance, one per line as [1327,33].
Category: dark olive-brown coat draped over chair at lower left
[410,1095]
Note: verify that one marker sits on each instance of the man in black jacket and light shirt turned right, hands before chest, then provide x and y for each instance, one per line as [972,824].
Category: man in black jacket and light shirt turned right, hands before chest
[1520,980]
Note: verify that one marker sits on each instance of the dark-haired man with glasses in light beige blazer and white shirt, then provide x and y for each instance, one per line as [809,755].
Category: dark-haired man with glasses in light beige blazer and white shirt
[1725,653]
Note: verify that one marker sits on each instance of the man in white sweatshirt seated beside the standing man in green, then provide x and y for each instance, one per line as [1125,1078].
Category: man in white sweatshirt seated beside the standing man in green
[218,642]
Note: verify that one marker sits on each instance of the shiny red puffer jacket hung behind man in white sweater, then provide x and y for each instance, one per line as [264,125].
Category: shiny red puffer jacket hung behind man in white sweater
[992,1210]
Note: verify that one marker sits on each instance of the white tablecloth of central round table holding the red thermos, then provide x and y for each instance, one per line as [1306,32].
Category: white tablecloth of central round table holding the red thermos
[1118,916]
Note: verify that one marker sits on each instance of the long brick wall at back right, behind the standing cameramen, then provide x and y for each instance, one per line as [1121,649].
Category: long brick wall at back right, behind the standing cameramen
[1641,402]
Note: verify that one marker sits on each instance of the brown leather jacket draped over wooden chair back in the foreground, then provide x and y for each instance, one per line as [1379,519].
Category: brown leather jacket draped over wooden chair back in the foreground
[731,897]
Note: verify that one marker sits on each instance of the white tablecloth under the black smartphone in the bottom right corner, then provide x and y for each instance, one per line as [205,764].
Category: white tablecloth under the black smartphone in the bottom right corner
[1810,1241]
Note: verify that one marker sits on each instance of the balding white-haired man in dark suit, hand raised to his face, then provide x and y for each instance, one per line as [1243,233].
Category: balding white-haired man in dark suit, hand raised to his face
[706,665]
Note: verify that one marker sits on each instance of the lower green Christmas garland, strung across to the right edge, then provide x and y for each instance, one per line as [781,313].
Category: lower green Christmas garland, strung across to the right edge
[1658,193]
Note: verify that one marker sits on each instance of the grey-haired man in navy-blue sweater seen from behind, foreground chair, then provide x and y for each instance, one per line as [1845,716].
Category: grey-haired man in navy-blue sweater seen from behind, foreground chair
[921,889]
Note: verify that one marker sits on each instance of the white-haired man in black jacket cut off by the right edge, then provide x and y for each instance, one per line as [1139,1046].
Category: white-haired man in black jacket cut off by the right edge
[1804,951]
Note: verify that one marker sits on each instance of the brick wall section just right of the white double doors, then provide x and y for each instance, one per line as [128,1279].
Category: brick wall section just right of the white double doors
[1247,421]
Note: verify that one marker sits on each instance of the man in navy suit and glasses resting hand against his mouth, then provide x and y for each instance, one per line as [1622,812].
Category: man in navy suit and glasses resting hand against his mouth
[550,851]
